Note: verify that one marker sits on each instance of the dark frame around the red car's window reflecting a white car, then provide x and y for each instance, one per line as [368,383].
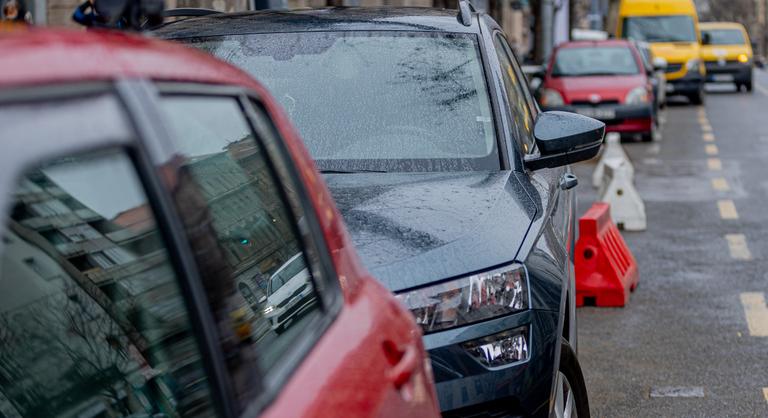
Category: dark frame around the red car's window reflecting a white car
[284,171]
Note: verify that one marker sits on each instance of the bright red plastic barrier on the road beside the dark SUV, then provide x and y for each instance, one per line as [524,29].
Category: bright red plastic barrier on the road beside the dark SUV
[606,271]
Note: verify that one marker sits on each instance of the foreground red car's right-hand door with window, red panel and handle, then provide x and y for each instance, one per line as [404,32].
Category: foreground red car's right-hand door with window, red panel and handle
[321,351]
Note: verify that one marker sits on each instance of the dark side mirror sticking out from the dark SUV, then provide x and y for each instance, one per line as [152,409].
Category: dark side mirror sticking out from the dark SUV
[565,138]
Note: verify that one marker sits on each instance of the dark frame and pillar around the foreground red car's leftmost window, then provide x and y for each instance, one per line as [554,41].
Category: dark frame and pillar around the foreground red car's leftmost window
[131,145]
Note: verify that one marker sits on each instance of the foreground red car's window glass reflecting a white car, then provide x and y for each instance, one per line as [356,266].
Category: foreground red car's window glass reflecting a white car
[242,234]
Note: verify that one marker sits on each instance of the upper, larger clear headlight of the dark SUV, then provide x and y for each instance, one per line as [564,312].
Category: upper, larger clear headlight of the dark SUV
[469,299]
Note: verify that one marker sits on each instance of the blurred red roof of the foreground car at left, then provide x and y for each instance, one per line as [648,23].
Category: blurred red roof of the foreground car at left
[45,56]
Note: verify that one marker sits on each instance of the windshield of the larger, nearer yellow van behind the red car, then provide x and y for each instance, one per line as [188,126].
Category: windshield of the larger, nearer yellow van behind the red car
[660,29]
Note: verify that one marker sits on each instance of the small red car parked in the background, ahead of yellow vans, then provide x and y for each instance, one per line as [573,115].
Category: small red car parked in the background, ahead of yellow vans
[606,80]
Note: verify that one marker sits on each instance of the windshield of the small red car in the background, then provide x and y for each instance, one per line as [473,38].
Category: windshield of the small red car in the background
[590,61]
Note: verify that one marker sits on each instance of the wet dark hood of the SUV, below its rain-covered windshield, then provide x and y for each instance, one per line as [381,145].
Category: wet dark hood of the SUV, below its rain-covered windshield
[411,229]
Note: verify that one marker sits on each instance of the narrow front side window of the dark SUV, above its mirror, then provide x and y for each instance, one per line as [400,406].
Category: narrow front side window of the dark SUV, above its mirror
[516,89]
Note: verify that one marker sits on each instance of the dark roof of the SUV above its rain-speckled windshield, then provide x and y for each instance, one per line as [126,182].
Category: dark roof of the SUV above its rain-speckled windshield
[320,20]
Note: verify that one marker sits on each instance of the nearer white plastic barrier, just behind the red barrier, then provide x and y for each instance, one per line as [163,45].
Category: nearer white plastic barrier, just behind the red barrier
[619,191]
